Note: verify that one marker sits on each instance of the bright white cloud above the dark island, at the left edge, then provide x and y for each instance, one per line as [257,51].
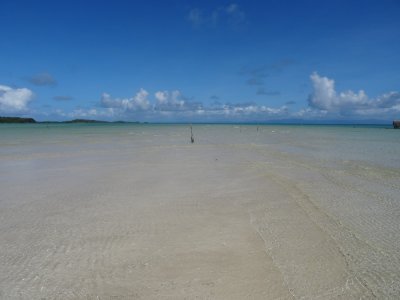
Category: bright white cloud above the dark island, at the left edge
[14,100]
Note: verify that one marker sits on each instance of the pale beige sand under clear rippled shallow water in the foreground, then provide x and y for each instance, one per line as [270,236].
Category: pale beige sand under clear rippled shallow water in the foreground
[147,216]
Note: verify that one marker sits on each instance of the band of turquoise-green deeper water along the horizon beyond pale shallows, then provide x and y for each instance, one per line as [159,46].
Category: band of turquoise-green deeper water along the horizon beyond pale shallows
[375,145]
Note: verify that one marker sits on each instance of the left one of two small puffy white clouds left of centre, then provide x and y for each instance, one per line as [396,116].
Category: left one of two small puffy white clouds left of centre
[139,102]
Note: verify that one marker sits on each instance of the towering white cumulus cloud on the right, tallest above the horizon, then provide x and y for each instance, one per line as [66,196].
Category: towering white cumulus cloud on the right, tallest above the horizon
[349,103]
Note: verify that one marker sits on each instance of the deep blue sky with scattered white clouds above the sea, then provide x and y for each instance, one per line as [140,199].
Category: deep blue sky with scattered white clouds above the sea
[201,61]
